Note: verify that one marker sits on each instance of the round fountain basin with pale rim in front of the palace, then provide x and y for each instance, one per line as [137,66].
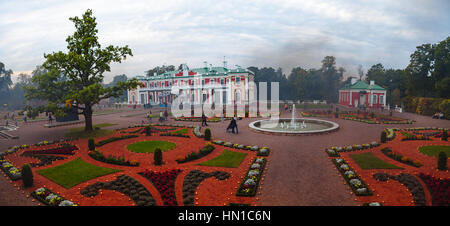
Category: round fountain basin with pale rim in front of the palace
[283,126]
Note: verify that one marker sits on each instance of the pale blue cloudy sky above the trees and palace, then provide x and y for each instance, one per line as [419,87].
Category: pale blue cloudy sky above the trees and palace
[272,33]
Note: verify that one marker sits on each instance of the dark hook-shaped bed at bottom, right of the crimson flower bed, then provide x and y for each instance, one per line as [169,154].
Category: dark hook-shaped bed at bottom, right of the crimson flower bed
[193,179]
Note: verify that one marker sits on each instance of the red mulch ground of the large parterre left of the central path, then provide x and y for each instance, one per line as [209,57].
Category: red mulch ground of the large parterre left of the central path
[211,192]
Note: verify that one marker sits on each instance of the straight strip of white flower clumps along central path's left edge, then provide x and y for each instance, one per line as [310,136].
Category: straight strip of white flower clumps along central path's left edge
[251,181]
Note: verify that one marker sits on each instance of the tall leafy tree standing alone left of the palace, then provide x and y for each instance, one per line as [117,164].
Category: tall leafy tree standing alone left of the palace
[75,77]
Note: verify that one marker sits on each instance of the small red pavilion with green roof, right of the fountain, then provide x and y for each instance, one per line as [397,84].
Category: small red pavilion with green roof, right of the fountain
[358,93]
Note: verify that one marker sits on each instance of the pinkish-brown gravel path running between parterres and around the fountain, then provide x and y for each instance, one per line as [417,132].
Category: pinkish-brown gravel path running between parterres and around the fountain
[299,172]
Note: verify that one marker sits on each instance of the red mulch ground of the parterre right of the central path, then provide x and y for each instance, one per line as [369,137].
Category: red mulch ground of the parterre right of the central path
[393,193]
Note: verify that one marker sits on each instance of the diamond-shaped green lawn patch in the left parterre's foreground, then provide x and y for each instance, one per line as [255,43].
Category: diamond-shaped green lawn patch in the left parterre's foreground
[74,172]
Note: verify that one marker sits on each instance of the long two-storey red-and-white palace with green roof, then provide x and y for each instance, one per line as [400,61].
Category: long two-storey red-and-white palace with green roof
[199,84]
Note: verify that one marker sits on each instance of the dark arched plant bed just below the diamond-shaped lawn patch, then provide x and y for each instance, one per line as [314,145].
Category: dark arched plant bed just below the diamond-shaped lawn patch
[125,185]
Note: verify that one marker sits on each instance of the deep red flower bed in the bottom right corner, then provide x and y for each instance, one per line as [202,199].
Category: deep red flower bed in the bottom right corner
[439,189]
